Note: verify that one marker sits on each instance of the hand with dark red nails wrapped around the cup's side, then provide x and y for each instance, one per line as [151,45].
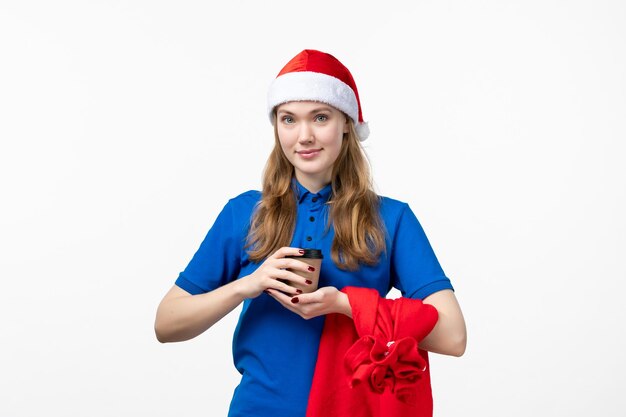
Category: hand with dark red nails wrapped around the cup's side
[273,272]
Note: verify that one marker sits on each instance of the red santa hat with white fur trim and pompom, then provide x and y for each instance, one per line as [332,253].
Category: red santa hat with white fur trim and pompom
[318,76]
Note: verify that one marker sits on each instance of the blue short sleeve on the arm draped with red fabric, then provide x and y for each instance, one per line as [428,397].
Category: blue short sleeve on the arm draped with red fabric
[415,270]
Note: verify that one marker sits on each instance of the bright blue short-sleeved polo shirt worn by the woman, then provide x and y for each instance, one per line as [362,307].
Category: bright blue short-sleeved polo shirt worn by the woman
[274,349]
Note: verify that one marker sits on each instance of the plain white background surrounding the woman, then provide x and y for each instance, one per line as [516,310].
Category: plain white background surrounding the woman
[126,125]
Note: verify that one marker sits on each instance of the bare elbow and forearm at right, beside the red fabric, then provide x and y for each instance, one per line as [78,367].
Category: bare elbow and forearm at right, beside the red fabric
[449,337]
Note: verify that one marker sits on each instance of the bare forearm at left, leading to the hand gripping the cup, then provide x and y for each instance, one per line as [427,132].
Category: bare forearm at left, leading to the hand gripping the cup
[184,316]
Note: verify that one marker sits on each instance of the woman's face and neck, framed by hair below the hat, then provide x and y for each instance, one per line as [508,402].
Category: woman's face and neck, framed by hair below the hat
[310,134]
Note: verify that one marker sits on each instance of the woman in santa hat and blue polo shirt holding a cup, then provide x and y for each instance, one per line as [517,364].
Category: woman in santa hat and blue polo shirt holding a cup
[317,193]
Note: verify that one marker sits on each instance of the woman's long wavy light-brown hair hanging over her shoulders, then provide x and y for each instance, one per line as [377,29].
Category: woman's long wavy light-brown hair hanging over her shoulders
[353,213]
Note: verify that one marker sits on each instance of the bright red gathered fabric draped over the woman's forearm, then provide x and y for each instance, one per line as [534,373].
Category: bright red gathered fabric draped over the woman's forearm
[370,365]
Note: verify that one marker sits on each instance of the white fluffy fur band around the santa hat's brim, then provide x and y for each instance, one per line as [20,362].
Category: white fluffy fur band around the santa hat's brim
[313,86]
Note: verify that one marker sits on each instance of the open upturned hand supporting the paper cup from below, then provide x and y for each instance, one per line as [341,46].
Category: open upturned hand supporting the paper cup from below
[323,301]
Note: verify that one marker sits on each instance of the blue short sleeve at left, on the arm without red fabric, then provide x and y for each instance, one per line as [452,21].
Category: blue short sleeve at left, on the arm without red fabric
[218,259]
